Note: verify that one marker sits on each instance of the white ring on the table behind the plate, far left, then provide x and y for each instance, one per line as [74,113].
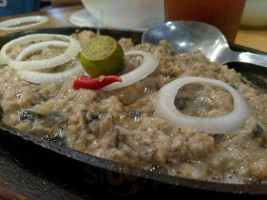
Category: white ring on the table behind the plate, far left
[37,20]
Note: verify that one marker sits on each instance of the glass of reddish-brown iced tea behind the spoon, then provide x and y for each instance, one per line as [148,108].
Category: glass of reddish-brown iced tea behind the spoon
[224,14]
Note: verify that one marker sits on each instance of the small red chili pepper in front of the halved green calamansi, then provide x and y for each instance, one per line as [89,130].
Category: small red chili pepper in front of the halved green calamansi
[94,83]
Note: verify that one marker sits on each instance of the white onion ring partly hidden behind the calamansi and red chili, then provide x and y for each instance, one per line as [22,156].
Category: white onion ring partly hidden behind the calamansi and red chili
[149,64]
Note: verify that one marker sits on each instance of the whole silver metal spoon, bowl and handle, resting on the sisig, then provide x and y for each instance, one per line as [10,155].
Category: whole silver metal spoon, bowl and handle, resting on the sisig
[187,36]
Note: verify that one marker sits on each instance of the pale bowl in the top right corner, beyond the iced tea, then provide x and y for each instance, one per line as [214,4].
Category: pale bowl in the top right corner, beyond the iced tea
[255,14]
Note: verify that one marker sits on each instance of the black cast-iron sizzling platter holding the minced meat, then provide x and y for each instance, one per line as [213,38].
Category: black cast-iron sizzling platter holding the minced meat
[29,147]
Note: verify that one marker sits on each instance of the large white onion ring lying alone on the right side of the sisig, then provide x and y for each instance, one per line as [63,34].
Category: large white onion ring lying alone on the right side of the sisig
[223,124]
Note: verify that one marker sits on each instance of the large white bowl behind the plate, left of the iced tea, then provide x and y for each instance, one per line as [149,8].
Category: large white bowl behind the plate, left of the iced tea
[129,14]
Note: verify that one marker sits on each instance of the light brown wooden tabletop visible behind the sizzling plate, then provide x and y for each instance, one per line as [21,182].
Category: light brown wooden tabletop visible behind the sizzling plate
[253,38]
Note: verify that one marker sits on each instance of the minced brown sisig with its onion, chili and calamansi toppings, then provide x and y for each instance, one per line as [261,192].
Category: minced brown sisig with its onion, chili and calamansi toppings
[173,113]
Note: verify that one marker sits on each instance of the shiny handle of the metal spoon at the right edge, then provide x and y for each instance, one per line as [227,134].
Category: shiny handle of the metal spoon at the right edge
[246,57]
